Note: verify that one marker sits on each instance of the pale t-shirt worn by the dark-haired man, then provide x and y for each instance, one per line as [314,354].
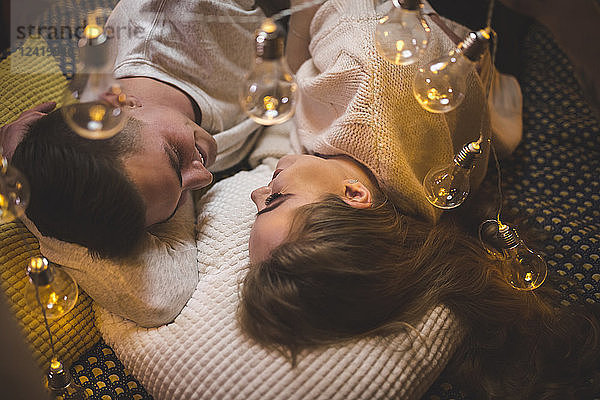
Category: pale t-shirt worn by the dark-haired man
[203,47]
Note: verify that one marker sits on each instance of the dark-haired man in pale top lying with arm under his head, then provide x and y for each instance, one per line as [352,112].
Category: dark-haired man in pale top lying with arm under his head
[180,65]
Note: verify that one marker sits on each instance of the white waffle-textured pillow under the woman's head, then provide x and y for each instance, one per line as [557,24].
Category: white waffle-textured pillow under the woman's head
[204,355]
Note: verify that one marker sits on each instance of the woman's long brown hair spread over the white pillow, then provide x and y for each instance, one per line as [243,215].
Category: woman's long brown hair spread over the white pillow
[347,272]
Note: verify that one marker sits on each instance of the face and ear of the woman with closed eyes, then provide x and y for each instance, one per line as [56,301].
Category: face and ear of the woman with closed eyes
[299,180]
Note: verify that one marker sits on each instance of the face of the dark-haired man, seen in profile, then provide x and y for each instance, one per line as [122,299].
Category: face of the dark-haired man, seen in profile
[171,159]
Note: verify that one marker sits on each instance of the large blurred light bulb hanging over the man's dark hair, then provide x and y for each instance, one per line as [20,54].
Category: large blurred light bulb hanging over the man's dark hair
[93,102]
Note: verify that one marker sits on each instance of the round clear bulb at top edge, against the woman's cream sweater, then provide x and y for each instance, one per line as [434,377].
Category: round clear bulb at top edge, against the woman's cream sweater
[402,35]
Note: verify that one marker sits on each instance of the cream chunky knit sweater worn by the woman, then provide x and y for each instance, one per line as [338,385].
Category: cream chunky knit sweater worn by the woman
[354,102]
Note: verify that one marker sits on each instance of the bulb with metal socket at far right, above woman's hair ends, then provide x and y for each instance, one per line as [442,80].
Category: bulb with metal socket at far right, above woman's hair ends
[522,268]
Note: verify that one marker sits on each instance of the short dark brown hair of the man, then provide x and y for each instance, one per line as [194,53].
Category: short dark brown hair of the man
[80,192]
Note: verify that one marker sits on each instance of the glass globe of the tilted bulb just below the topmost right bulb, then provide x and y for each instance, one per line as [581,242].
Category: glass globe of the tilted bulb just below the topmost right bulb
[440,86]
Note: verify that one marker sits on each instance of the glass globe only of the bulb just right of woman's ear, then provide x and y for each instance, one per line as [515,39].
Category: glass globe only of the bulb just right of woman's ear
[447,187]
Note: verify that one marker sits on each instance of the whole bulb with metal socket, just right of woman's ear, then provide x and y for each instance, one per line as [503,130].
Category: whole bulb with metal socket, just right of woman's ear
[449,186]
